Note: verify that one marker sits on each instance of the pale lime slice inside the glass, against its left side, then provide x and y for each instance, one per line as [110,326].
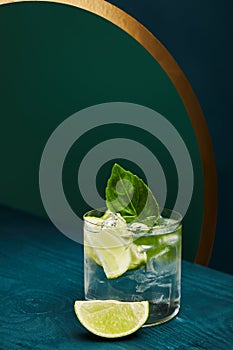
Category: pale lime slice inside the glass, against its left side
[110,251]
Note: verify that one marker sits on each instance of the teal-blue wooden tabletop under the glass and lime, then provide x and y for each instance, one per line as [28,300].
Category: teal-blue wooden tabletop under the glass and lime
[41,274]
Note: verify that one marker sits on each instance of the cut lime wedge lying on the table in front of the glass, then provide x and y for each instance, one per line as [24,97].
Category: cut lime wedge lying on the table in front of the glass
[111,318]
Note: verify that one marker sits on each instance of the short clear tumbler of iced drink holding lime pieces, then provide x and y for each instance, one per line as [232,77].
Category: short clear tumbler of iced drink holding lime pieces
[134,262]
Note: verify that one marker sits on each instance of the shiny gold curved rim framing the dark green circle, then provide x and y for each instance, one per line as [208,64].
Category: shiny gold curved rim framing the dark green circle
[183,87]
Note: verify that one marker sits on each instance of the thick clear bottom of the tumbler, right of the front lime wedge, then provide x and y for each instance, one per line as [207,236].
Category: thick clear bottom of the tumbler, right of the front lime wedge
[158,318]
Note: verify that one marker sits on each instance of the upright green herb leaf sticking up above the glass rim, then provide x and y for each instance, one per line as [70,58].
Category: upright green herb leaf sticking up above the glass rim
[128,195]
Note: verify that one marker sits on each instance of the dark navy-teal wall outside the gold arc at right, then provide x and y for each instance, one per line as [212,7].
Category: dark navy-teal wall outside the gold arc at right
[199,36]
